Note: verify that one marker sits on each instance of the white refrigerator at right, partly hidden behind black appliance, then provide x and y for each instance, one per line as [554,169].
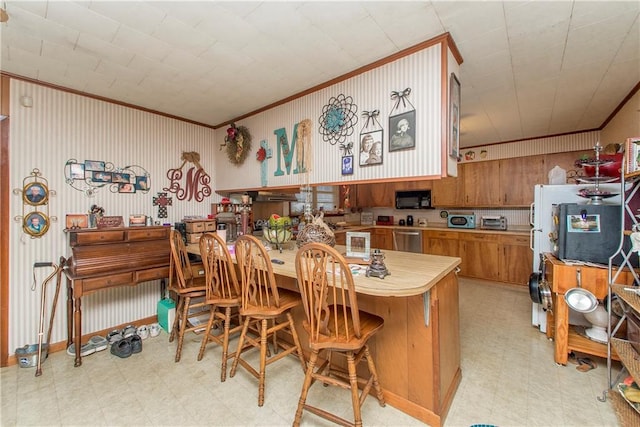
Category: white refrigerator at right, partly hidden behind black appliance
[541,219]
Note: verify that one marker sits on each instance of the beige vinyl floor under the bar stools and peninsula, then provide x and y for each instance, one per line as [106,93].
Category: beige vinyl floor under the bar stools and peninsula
[509,378]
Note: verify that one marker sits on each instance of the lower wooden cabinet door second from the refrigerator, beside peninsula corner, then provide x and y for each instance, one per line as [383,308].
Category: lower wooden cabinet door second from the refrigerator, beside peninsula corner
[480,254]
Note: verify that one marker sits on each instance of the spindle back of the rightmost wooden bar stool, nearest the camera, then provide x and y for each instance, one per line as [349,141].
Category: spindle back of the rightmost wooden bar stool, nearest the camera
[328,296]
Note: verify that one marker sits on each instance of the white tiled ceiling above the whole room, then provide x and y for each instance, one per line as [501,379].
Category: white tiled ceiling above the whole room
[531,68]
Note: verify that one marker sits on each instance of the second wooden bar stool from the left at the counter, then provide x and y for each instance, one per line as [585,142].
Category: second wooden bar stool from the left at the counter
[223,295]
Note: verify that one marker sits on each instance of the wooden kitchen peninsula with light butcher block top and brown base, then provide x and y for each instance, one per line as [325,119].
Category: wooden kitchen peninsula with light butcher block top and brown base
[417,352]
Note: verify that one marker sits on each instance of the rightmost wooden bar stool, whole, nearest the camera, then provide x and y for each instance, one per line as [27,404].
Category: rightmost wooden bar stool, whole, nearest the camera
[335,326]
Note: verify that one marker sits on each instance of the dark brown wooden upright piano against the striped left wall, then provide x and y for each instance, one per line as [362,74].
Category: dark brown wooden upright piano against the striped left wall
[110,257]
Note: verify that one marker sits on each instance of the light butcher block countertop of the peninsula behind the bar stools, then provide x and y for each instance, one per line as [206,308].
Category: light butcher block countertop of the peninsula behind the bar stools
[411,273]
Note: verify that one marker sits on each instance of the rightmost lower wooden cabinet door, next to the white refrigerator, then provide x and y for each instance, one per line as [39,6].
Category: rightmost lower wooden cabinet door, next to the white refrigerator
[515,261]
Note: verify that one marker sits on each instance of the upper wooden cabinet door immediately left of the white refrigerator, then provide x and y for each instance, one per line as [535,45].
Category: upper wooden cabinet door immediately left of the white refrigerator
[518,177]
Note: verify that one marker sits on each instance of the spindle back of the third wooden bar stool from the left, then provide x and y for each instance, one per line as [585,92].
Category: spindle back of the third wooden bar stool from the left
[258,283]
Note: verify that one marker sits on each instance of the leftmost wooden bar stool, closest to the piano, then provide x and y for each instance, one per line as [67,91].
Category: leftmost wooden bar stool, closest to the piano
[187,281]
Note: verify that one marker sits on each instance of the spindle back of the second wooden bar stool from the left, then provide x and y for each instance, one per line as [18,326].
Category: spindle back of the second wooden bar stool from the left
[220,272]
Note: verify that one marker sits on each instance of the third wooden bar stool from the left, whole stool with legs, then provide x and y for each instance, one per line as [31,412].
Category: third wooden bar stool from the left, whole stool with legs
[265,306]
